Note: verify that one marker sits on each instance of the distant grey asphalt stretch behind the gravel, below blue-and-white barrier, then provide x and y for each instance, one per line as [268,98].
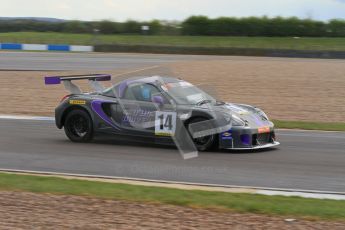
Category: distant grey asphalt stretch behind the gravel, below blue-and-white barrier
[87,61]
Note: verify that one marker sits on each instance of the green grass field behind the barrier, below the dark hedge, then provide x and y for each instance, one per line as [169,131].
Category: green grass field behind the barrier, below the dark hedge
[197,41]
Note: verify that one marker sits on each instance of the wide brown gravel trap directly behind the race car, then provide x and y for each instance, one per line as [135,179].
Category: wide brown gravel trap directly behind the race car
[287,89]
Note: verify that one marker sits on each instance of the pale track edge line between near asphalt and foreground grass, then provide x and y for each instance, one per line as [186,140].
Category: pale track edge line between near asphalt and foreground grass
[196,186]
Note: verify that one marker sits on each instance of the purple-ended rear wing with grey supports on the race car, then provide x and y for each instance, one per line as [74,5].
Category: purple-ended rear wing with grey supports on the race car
[74,89]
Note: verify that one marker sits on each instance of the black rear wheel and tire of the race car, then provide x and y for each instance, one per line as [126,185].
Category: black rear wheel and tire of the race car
[78,126]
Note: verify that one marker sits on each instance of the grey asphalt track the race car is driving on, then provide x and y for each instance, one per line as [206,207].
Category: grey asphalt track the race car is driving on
[305,160]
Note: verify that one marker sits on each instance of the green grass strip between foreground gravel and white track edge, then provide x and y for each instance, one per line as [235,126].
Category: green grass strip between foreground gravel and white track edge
[270,205]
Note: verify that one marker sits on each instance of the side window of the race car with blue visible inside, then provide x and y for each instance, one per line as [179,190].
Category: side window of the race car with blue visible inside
[140,92]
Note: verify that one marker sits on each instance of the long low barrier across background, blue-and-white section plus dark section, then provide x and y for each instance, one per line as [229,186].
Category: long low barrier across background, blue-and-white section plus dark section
[115,48]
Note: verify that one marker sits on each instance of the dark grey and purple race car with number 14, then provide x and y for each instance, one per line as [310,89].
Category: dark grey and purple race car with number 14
[163,110]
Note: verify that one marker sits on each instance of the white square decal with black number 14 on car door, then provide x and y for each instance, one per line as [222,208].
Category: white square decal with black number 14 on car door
[165,123]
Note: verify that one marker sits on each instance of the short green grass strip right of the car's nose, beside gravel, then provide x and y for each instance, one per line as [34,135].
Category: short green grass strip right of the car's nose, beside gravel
[308,125]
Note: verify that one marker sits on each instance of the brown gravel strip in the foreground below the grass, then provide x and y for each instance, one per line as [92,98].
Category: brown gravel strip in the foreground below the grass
[23,210]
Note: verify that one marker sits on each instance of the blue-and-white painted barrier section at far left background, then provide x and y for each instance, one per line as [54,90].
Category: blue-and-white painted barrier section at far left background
[45,47]
